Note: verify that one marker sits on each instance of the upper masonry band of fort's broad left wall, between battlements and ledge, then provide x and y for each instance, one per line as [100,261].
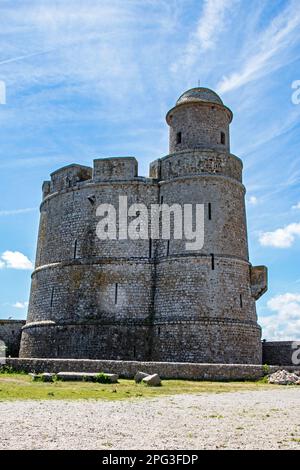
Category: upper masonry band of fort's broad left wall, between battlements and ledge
[69,220]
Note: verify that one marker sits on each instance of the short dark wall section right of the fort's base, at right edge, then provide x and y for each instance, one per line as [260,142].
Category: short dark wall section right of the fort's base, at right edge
[280,352]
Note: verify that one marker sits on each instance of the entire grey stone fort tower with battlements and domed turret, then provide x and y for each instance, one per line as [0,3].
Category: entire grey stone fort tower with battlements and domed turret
[149,299]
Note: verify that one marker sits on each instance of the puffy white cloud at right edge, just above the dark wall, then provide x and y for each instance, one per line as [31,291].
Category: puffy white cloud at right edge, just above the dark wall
[284,321]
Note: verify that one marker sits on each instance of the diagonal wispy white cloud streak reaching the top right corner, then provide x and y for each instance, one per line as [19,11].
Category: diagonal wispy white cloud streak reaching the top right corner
[267,47]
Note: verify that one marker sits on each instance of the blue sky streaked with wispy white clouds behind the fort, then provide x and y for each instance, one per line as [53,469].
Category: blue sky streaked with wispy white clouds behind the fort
[96,78]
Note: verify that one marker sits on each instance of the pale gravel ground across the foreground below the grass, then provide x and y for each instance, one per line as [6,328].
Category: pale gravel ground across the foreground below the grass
[241,420]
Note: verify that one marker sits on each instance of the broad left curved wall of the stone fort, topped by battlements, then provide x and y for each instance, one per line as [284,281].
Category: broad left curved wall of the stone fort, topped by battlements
[90,297]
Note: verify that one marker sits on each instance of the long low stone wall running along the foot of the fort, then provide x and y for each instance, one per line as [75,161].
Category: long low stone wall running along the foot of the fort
[127,369]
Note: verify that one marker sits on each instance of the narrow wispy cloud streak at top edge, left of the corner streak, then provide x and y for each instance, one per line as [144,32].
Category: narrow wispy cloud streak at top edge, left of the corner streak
[209,26]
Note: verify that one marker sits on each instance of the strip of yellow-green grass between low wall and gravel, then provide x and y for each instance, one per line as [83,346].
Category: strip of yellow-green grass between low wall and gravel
[15,386]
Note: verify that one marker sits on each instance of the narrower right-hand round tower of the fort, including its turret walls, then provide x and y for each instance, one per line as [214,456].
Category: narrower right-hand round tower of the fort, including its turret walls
[204,304]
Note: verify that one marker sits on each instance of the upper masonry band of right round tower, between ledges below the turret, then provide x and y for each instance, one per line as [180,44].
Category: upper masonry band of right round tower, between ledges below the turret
[224,213]
